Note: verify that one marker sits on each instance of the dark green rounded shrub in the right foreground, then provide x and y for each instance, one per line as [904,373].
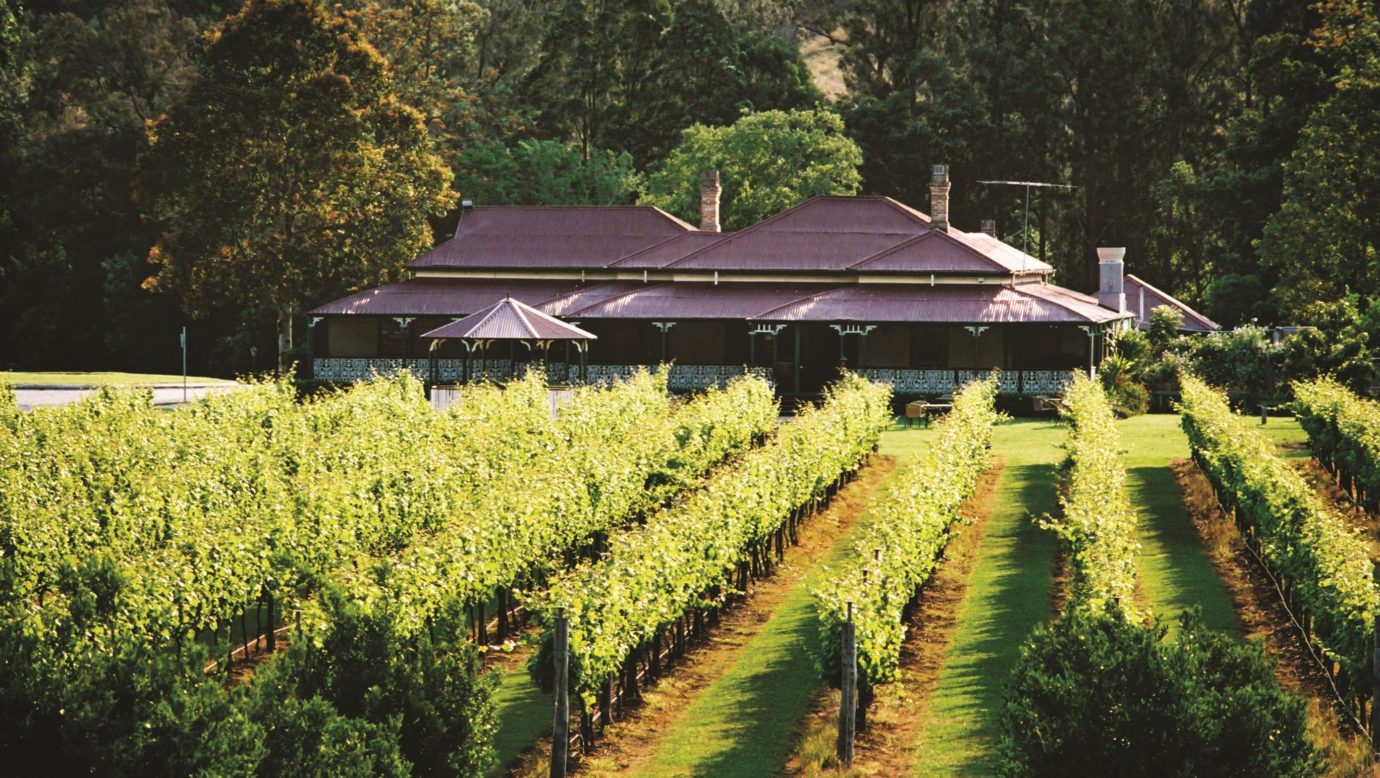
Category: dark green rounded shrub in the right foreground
[1094,692]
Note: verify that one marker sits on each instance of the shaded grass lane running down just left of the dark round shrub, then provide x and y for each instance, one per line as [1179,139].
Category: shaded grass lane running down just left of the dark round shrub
[1008,597]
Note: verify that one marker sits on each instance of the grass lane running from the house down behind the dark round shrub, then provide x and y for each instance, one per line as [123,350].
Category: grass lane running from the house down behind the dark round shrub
[1175,570]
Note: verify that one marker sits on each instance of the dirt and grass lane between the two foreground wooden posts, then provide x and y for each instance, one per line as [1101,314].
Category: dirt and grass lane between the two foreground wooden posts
[669,728]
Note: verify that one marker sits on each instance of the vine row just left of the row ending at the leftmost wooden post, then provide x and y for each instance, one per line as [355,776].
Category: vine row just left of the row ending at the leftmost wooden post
[615,467]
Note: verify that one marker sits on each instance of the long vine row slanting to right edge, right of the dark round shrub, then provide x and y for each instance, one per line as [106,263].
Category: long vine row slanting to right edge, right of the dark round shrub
[1321,563]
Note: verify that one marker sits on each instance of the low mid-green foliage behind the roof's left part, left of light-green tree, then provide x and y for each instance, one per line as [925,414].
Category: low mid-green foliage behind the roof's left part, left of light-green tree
[546,173]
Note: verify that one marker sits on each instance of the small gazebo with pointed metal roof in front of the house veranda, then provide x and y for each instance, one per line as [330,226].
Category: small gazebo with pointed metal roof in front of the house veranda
[515,323]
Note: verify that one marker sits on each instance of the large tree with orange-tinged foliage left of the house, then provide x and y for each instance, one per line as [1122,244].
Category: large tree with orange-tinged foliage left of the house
[290,170]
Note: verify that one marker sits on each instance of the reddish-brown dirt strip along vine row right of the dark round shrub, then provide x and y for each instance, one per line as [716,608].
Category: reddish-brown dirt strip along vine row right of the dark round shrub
[1265,619]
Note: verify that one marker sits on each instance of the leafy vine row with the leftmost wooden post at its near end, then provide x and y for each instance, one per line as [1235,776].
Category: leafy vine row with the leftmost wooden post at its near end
[685,558]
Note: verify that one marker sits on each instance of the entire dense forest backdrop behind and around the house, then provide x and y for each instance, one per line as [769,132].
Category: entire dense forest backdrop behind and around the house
[1229,144]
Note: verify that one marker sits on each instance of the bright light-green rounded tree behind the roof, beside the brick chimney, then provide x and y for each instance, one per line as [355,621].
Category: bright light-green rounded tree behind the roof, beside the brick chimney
[768,163]
